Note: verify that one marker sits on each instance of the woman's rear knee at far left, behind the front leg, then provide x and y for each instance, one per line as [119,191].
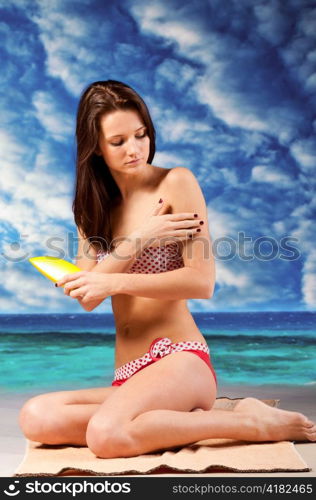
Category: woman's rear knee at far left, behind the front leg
[34,419]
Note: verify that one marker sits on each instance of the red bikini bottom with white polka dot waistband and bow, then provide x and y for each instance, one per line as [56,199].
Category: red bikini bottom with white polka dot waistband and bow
[160,348]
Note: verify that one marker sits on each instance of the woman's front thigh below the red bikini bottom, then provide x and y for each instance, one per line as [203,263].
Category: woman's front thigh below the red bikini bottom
[180,381]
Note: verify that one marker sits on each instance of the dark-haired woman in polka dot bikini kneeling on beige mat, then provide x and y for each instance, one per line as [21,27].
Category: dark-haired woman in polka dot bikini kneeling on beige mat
[144,241]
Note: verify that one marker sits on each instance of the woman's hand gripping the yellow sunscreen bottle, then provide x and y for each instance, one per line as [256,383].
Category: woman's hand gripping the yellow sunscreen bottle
[87,286]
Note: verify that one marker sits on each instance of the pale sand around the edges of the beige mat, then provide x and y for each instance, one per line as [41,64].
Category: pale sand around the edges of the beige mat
[303,399]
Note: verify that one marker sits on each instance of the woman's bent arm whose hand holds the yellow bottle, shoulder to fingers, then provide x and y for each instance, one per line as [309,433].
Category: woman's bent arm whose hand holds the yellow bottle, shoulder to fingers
[195,280]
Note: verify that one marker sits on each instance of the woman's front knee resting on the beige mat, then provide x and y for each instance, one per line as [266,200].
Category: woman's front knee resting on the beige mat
[107,439]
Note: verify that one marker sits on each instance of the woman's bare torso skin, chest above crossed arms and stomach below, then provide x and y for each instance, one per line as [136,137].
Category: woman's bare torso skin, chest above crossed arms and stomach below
[140,320]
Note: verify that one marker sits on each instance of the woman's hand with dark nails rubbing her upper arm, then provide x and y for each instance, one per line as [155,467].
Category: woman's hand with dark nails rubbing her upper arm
[156,226]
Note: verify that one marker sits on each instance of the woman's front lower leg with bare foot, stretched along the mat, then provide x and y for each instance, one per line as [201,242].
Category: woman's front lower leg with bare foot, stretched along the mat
[251,421]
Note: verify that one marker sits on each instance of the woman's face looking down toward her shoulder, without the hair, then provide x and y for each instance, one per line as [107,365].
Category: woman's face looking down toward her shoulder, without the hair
[124,143]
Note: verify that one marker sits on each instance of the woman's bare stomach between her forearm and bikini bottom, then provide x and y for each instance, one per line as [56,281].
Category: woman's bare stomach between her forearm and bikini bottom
[140,320]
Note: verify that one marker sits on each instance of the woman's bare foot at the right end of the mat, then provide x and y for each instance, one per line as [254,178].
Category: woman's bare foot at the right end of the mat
[273,424]
